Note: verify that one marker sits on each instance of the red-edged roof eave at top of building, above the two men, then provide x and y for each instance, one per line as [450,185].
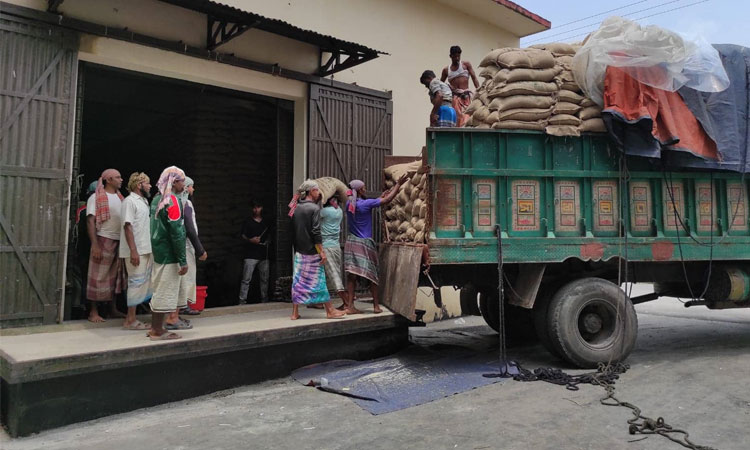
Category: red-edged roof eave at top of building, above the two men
[504,14]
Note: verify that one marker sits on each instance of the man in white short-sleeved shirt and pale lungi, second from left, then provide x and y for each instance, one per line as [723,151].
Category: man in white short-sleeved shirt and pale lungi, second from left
[136,249]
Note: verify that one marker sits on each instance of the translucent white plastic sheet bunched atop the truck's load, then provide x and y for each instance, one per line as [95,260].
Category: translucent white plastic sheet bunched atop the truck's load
[652,55]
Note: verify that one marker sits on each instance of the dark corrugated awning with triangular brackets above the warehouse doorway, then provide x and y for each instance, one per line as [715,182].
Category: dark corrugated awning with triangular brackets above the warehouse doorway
[225,22]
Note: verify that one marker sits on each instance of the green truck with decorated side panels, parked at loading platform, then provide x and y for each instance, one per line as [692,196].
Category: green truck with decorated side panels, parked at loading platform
[576,221]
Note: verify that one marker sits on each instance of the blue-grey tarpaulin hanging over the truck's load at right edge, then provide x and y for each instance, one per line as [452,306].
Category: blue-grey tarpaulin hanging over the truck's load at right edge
[725,116]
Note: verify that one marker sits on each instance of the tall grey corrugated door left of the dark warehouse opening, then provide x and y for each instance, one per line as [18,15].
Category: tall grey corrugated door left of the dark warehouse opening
[37,81]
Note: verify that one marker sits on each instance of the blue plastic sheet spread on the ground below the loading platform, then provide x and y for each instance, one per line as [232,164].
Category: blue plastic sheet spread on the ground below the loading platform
[410,378]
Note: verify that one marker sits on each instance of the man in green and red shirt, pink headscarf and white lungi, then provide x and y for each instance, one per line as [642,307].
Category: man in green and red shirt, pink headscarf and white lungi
[168,245]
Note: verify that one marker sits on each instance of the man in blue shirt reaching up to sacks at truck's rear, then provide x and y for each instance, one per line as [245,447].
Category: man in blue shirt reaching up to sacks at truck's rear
[360,251]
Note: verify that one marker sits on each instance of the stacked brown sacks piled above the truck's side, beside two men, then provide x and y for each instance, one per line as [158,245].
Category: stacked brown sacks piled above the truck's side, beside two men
[533,89]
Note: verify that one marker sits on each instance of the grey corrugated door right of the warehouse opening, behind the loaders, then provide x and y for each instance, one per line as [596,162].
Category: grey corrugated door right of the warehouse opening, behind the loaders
[350,133]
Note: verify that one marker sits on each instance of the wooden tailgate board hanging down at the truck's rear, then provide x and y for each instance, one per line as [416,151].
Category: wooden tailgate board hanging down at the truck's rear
[399,277]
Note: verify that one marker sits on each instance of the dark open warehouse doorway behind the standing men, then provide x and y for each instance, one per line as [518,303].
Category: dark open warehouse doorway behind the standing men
[235,145]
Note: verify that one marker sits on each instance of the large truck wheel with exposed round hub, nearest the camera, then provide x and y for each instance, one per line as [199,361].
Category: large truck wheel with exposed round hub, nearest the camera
[591,320]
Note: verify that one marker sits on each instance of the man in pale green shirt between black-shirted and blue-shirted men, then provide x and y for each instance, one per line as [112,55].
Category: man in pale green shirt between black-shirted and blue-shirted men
[330,226]
